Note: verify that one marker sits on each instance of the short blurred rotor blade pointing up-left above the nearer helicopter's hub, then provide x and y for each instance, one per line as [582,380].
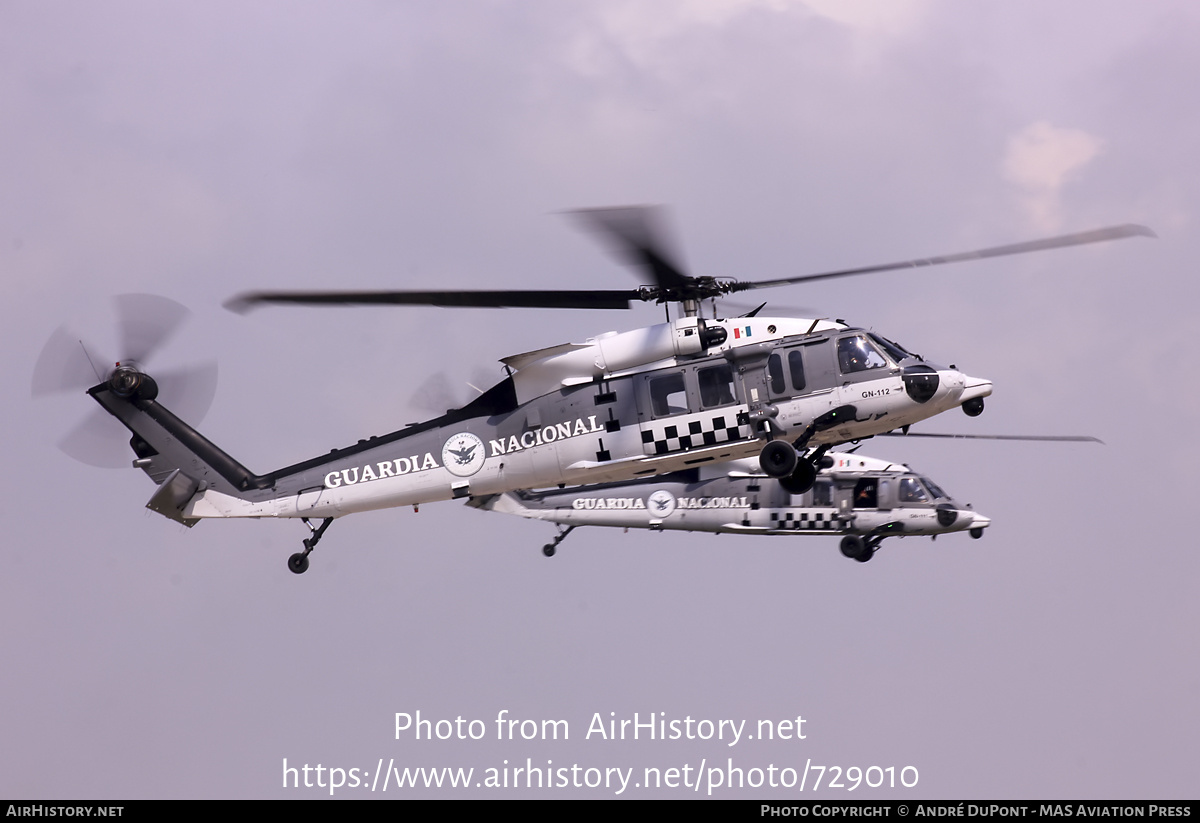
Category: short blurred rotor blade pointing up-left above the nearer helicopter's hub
[639,237]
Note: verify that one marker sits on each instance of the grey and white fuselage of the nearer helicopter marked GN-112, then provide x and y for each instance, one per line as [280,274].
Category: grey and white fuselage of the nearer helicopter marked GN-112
[617,407]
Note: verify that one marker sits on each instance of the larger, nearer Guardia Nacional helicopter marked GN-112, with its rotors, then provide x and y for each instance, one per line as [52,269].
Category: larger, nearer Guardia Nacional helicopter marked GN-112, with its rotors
[616,407]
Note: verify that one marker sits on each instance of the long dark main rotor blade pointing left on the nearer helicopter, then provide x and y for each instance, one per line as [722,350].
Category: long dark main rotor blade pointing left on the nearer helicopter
[502,299]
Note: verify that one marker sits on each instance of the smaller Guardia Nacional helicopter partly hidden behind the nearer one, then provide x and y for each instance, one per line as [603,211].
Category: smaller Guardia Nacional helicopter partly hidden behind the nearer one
[863,498]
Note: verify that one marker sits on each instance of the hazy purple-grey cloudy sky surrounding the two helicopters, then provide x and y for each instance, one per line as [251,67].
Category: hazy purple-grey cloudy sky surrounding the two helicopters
[199,151]
